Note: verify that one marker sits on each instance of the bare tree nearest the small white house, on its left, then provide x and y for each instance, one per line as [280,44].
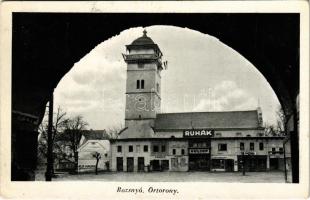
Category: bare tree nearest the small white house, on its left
[74,128]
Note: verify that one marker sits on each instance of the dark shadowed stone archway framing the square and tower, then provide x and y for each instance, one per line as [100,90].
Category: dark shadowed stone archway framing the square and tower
[46,46]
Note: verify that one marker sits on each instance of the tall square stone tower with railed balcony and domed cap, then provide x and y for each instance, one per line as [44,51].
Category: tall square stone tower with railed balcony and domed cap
[143,84]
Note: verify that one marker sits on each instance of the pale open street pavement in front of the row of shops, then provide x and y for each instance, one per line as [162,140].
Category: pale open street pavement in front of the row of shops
[250,177]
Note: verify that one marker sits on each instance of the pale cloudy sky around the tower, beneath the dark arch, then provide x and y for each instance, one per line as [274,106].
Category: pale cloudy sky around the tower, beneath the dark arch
[203,74]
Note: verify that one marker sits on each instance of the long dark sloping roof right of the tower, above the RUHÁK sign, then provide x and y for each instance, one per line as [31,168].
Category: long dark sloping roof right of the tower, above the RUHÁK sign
[212,120]
